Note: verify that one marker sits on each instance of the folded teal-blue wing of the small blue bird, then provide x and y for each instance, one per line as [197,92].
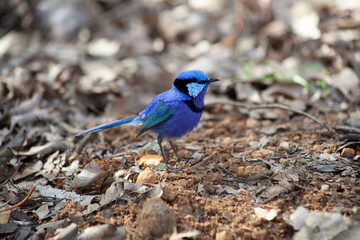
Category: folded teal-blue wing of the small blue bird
[156,115]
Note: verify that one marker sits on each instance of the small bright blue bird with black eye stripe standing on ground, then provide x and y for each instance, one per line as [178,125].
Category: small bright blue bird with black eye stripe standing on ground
[173,113]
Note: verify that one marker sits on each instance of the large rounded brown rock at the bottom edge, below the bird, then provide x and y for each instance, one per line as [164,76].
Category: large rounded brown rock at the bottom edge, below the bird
[155,219]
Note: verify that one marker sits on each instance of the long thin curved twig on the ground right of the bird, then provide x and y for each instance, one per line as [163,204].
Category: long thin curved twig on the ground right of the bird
[283,107]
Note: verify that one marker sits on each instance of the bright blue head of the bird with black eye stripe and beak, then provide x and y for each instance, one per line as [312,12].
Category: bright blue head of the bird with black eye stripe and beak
[192,82]
